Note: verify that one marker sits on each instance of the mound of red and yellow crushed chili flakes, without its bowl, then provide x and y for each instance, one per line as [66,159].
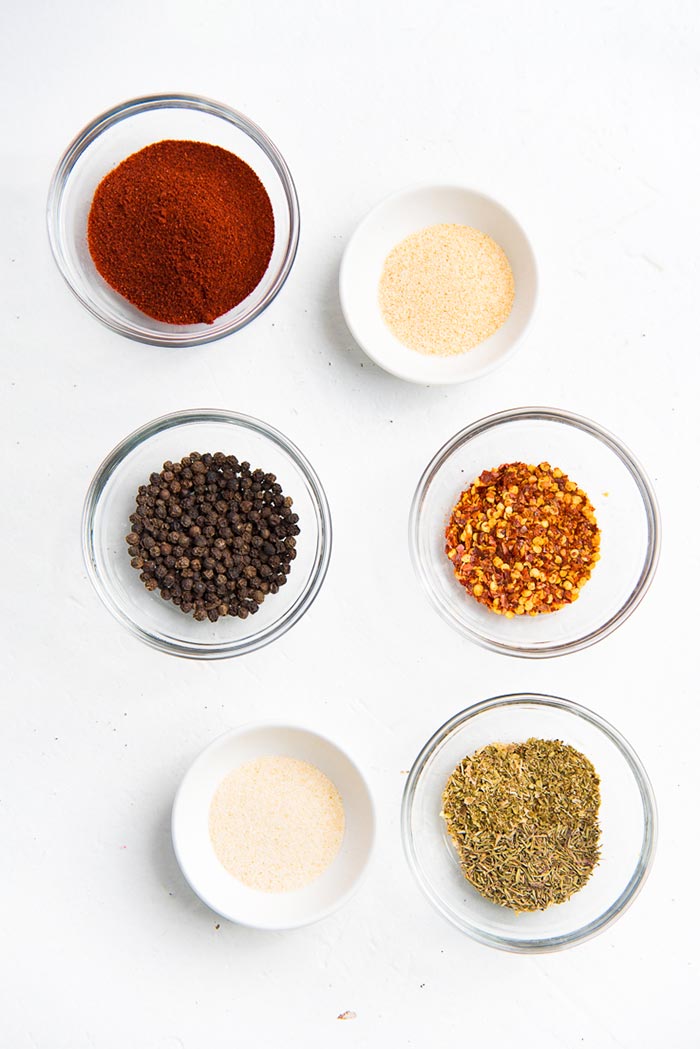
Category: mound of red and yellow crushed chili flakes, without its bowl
[523,540]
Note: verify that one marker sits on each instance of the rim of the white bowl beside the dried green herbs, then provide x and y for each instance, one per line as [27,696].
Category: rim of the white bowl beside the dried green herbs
[235,734]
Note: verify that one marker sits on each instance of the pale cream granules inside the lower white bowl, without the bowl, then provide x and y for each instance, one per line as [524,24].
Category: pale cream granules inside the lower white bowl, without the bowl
[277,824]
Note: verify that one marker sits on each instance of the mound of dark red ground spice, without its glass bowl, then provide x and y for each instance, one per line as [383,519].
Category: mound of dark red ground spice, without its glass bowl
[183,230]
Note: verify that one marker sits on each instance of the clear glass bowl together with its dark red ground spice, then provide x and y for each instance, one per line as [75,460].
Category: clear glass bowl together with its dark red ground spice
[174,220]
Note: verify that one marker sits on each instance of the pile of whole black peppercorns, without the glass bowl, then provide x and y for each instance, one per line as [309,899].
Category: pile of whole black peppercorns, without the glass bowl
[213,536]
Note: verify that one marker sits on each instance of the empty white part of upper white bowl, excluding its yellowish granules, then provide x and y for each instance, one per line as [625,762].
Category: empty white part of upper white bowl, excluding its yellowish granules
[390,223]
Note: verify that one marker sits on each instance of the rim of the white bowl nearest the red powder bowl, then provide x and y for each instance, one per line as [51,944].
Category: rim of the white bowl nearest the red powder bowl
[406,375]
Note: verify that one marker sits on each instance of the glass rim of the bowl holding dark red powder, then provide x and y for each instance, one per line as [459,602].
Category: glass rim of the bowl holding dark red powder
[133,108]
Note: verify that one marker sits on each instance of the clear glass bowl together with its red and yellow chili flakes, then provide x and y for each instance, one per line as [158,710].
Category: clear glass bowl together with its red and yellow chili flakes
[535,532]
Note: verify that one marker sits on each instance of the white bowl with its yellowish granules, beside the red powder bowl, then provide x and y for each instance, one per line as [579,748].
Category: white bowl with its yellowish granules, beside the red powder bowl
[428,282]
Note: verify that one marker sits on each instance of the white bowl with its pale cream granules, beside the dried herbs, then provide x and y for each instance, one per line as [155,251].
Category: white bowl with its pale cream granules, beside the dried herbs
[273,826]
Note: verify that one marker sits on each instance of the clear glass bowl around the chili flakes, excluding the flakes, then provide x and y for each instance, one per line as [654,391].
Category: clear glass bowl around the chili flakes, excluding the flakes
[626,510]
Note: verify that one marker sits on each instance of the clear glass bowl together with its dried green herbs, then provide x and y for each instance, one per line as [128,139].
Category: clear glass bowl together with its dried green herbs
[529,823]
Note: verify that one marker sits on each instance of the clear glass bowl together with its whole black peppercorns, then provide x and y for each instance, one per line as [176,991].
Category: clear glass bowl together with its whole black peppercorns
[207,534]
